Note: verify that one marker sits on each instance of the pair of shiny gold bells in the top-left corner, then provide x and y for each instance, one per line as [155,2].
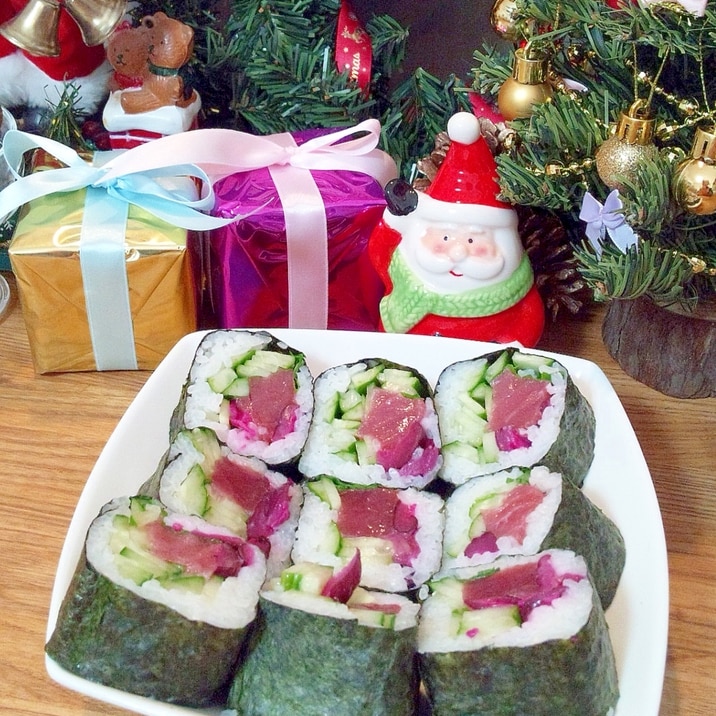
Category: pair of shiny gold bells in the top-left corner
[35,28]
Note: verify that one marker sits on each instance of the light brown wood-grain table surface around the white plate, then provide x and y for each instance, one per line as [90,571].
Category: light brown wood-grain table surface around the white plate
[52,429]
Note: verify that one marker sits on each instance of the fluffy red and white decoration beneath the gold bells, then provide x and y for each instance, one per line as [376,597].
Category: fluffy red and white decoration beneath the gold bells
[28,80]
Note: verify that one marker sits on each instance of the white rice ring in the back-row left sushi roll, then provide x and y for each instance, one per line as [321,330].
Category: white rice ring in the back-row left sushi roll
[206,408]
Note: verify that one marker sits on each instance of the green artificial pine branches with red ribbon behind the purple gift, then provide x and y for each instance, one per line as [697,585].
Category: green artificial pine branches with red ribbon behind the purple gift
[281,67]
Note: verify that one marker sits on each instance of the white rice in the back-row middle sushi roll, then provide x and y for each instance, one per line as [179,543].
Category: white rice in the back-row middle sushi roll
[320,456]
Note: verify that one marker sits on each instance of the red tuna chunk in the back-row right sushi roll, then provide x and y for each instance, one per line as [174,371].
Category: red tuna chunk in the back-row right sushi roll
[517,402]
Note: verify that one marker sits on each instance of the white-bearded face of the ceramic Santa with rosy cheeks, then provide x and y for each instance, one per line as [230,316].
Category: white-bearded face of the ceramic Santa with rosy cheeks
[453,258]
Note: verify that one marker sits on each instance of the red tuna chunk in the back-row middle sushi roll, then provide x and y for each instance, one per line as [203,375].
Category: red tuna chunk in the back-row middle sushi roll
[394,422]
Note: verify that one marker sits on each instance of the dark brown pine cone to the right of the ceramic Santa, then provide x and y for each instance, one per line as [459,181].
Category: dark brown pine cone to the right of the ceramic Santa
[556,276]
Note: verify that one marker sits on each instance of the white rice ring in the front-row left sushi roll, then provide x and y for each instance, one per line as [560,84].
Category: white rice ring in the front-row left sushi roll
[231,605]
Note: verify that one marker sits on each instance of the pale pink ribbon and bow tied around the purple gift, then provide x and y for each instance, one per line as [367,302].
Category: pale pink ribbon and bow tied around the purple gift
[225,152]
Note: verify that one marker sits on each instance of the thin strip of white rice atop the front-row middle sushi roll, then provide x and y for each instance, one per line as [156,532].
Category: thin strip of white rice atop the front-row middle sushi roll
[406,618]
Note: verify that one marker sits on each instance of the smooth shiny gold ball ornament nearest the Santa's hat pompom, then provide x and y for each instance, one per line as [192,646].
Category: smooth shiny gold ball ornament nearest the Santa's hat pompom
[529,85]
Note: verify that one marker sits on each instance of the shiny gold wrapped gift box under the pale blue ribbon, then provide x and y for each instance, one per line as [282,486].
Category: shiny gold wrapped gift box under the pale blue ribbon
[45,258]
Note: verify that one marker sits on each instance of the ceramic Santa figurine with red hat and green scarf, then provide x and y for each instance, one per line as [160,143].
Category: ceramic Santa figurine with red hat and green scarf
[451,259]
